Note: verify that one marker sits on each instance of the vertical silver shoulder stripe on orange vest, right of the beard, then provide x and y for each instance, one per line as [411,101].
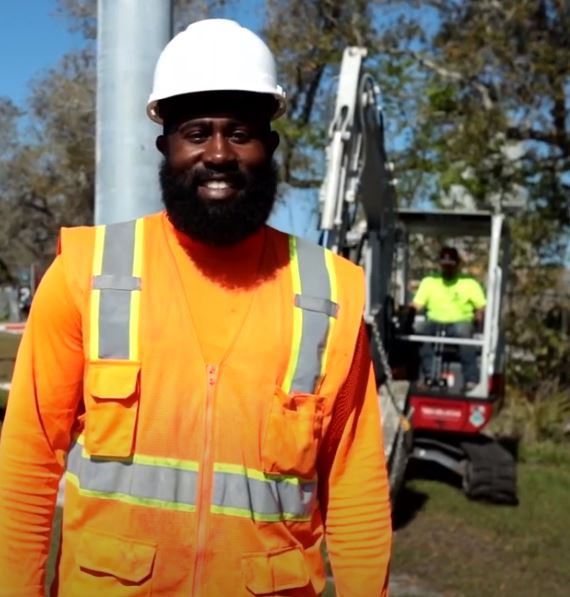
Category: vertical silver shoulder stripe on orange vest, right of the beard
[315,286]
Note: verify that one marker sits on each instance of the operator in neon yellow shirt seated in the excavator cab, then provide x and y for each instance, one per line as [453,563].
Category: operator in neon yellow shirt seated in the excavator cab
[454,303]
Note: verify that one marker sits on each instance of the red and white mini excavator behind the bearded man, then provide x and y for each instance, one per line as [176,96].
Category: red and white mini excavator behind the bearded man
[359,219]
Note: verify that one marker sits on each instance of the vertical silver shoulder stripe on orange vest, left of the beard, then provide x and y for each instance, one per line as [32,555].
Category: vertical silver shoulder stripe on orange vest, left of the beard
[116,282]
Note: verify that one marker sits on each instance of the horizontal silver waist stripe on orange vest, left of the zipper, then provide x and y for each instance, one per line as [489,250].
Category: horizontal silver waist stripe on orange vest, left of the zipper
[132,481]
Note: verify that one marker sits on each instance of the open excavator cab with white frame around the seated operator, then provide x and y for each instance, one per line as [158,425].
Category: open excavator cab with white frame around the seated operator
[490,231]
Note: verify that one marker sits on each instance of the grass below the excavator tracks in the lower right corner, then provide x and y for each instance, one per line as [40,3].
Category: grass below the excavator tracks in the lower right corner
[455,547]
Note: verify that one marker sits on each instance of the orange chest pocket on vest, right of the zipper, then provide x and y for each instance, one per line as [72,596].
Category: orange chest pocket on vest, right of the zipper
[293,434]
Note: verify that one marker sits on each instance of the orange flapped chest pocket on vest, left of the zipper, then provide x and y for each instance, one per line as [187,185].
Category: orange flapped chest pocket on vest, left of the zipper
[112,398]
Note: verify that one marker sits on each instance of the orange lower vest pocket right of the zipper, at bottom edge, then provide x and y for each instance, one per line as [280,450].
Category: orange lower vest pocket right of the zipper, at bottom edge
[273,572]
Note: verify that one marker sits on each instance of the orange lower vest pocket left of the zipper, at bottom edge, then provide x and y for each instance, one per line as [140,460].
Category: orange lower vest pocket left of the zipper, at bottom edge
[109,565]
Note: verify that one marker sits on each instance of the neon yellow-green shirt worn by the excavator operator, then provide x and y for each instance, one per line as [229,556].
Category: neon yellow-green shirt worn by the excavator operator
[450,301]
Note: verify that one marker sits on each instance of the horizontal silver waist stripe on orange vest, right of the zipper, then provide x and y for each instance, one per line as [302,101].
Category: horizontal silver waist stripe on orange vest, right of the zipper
[269,499]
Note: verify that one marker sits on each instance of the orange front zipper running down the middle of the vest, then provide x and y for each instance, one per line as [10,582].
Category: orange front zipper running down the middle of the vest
[205,479]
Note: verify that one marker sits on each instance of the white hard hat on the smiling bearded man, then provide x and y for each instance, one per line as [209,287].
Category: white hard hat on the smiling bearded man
[215,55]
